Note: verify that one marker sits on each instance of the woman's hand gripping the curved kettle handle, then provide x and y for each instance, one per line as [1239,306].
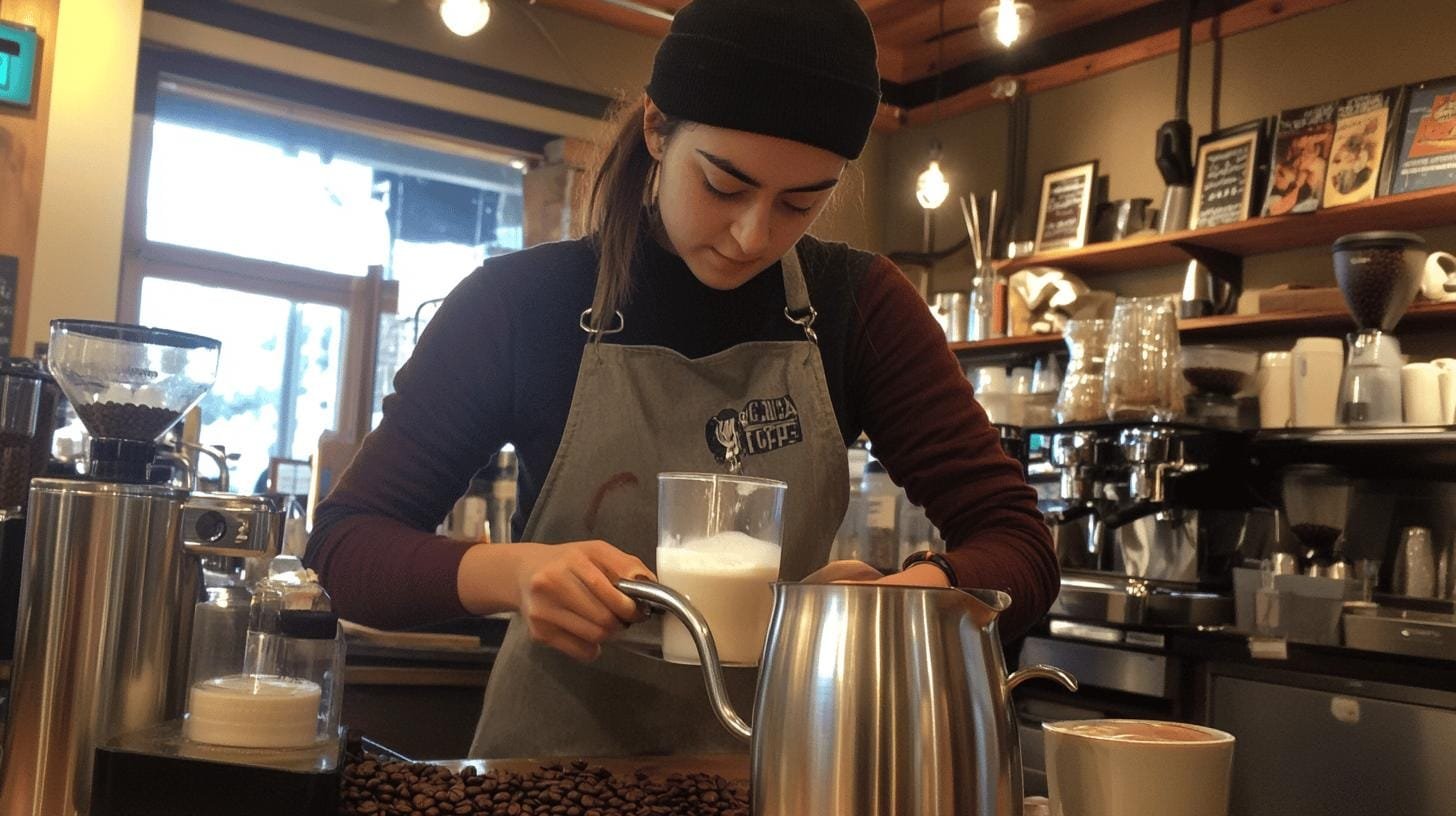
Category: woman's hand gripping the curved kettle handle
[566,594]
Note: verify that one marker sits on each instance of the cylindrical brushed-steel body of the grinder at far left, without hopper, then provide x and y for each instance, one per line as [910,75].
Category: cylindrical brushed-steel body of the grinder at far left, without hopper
[103,635]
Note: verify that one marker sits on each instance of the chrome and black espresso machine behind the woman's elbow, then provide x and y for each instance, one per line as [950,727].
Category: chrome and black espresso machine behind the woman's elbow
[1150,521]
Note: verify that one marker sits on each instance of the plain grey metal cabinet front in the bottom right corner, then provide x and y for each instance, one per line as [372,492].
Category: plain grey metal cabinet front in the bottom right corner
[1337,748]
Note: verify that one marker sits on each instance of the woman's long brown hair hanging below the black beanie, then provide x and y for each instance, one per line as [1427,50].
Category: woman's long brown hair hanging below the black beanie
[617,213]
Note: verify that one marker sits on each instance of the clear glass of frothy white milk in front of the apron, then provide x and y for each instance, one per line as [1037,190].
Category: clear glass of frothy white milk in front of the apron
[719,546]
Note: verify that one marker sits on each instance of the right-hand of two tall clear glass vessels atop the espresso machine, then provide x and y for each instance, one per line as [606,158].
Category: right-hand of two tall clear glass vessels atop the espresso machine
[1142,380]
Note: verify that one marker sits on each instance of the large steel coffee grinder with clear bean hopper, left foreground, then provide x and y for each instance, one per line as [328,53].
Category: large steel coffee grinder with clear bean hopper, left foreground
[113,565]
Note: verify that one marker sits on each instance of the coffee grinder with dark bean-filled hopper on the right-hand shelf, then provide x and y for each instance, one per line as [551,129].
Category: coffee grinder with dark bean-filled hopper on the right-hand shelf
[1380,275]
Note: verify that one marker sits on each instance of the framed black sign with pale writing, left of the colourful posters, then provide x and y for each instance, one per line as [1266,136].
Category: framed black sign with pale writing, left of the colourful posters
[1227,176]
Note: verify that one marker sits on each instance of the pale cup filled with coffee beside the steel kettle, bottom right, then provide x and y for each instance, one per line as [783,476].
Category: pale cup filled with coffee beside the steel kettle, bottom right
[1138,767]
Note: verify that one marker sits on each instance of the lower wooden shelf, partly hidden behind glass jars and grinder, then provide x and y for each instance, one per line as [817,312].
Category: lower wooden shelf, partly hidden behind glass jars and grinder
[1422,315]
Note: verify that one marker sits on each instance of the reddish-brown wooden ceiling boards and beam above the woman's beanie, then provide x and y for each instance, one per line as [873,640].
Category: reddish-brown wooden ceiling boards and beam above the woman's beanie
[919,52]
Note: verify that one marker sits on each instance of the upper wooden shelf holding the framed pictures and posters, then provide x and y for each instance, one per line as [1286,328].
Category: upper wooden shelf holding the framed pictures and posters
[1256,237]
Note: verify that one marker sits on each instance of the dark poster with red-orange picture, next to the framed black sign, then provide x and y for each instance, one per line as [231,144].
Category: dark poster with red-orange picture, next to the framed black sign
[1299,161]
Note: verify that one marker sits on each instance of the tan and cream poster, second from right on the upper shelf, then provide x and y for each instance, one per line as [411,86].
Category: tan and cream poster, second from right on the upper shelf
[1364,127]
